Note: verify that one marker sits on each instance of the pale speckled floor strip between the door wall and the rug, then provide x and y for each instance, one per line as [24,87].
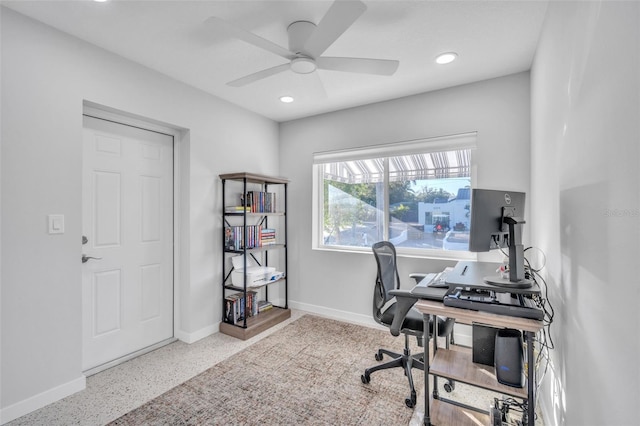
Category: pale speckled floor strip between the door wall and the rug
[116,391]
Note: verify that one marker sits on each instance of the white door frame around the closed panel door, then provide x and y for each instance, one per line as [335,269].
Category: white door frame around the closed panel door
[180,137]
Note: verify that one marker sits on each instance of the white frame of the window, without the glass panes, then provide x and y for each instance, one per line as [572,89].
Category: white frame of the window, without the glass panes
[385,151]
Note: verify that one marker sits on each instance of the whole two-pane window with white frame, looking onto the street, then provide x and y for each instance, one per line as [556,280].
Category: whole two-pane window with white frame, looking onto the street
[414,194]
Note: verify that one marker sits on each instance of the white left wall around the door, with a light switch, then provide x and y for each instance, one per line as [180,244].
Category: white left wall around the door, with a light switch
[46,76]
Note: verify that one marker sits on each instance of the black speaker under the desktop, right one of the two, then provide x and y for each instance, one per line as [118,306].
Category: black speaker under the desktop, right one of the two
[509,357]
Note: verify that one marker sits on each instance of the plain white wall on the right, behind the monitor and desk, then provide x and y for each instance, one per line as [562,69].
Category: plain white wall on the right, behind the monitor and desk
[585,207]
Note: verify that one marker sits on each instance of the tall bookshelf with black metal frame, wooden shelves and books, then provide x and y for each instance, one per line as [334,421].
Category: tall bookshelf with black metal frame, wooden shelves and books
[242,231]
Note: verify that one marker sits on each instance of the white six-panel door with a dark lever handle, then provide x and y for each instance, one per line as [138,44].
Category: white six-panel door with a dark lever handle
[127,219]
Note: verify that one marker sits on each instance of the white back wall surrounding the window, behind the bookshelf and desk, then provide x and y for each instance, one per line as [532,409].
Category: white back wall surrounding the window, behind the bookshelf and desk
[341,284]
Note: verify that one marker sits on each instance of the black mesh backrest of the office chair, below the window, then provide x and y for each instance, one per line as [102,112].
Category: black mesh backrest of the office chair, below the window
[387,278]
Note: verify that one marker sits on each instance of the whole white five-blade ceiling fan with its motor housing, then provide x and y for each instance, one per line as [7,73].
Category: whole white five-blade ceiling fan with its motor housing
[307,42]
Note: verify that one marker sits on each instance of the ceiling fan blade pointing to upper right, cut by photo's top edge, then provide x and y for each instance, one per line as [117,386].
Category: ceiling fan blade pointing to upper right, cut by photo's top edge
[340,16]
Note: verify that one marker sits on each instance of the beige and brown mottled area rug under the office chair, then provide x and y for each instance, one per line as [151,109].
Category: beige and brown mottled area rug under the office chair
[306,373]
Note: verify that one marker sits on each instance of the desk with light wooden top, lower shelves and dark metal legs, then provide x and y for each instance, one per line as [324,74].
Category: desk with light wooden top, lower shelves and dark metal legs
[458,366]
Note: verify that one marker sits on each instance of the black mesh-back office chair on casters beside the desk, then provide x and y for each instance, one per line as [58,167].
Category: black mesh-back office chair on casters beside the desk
[399,317]
